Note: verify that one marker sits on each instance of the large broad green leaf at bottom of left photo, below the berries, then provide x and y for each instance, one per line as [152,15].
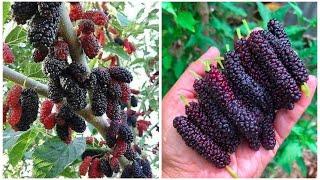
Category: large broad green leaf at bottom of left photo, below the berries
[51,158]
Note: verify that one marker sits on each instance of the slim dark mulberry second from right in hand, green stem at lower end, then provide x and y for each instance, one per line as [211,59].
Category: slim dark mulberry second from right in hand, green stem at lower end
[288,58]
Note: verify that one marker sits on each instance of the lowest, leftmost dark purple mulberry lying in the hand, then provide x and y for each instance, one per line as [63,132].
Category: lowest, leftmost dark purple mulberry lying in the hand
[195,139]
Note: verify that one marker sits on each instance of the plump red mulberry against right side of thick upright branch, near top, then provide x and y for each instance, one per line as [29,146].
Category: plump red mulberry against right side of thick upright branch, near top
[90,45]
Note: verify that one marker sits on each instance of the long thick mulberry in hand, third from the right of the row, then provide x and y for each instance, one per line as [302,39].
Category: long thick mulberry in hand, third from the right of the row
[285,89]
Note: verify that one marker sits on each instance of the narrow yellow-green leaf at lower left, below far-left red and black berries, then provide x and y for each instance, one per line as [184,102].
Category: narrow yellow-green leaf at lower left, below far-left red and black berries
[18,150]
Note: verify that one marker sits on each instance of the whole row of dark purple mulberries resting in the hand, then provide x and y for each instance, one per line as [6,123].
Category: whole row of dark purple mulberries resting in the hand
[239,103]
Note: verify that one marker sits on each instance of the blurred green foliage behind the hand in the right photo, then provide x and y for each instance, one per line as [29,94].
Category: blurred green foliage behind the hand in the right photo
[189,29]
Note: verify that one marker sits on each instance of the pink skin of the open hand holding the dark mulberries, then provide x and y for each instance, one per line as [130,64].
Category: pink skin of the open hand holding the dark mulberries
[181,161]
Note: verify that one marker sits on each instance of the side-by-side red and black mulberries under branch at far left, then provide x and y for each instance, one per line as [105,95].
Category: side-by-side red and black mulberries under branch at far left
[21,107]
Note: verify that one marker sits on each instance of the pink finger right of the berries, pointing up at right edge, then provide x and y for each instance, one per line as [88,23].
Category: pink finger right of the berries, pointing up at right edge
[286,119]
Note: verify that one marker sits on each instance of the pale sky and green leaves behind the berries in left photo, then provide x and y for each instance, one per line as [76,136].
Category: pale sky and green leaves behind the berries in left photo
[39,153]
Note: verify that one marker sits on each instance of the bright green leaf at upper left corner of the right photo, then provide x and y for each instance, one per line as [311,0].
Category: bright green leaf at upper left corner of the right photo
[186,21]
